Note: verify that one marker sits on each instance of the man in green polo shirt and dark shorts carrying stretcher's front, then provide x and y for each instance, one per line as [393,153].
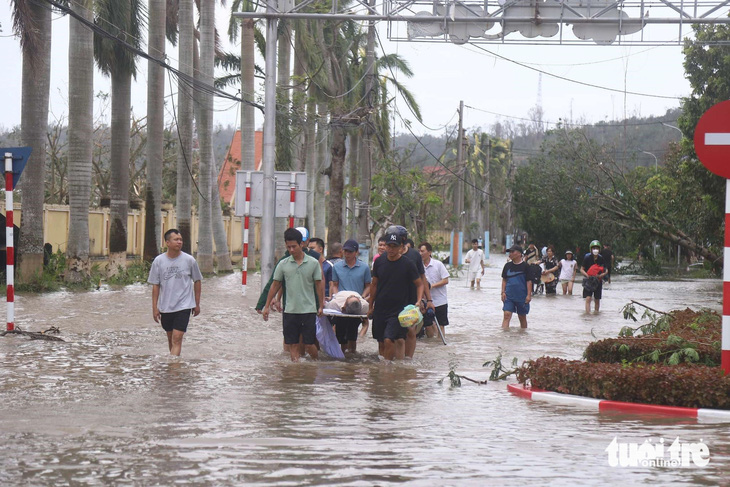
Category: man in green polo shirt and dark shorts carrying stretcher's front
[302,275]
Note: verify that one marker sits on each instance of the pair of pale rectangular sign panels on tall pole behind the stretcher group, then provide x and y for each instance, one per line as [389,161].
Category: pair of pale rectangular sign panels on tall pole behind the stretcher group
[283,194]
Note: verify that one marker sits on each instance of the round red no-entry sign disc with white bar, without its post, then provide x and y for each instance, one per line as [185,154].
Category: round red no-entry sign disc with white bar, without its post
[712,139]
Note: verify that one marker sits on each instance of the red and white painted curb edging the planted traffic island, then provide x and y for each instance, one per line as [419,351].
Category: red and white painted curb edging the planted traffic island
[603,405]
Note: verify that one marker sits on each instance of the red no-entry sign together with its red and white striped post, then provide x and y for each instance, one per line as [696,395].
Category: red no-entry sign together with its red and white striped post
[712,145]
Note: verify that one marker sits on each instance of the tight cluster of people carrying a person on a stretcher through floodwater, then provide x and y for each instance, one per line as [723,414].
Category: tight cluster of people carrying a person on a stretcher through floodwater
[401,276]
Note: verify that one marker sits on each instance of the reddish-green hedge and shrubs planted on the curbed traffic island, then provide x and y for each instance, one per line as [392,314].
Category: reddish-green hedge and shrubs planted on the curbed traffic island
[673,362]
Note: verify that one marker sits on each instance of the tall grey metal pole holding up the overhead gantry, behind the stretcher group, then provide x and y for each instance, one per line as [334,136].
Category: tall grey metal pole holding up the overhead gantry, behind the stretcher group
[269,203]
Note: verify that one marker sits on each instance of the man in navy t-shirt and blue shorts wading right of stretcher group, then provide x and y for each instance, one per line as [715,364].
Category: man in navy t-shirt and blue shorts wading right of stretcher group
[516,288]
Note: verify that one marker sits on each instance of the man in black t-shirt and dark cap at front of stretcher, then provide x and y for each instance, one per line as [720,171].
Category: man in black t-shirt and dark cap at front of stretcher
[393,276]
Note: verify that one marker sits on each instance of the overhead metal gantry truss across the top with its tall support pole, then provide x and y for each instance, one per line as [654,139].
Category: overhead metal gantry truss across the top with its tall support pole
[588,22]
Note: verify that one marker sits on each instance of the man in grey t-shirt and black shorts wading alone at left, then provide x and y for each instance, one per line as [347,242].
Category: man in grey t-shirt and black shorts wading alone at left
[176,284]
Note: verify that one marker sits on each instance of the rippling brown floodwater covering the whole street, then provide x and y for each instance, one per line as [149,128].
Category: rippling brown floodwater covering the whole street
[110,407]
